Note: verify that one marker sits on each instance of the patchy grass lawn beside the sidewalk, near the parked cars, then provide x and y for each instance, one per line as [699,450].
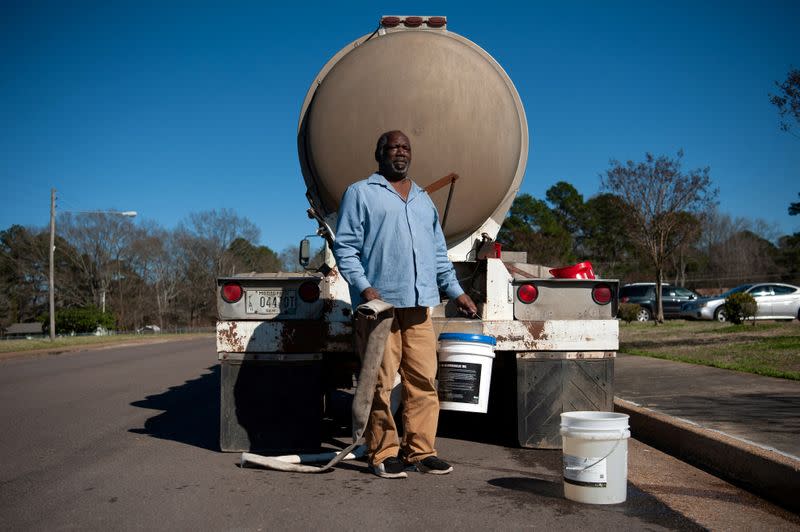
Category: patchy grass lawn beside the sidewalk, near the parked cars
[766,348]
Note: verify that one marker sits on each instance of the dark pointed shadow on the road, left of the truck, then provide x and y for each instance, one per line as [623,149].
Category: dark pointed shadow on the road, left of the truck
[190,412]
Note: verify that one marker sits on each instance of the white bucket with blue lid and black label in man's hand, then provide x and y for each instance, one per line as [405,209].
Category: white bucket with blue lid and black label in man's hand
[465,371]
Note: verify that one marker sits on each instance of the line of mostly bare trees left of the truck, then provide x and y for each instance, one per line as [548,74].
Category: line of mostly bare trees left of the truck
[138,274]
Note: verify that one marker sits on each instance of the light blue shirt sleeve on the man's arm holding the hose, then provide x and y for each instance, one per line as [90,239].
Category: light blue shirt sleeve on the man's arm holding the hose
[349,241]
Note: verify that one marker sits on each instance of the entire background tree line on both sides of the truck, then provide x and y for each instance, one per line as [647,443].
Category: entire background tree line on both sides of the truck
[651,221]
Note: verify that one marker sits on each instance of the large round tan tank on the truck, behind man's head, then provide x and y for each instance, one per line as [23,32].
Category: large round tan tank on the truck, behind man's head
[458,107]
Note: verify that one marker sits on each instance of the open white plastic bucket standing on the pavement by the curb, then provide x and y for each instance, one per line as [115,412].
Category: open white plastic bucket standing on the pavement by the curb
[595,447]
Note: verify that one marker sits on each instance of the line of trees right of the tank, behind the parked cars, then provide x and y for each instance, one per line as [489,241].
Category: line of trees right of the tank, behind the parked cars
[659,222]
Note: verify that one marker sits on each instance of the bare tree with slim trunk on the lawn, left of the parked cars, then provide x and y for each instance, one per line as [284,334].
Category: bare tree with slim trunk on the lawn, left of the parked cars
[658,193]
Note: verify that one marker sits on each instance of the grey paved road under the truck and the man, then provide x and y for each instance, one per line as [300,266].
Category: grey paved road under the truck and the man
[126,438]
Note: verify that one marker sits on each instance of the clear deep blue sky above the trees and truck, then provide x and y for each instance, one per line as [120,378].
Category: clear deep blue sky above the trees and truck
[172,107]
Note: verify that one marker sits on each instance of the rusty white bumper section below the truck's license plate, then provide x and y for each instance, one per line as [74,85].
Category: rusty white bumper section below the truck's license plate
[301,336]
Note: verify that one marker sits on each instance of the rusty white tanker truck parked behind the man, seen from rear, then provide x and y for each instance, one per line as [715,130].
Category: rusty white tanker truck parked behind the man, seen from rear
[285,340]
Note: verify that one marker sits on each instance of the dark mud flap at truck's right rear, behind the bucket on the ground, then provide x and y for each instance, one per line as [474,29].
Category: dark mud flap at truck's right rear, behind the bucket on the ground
[548,387]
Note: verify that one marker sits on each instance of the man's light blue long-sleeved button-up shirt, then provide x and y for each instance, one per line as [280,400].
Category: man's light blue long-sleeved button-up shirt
[392,245]
